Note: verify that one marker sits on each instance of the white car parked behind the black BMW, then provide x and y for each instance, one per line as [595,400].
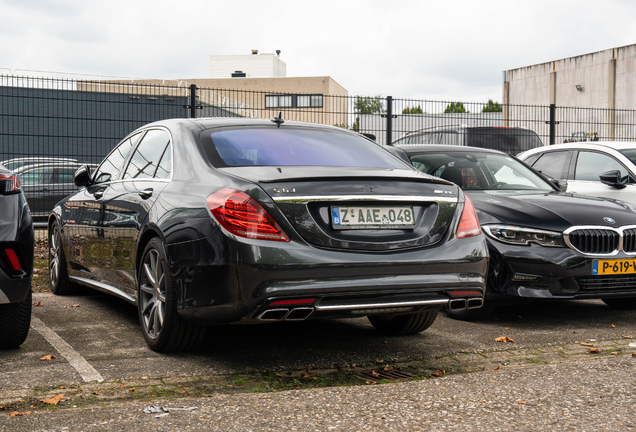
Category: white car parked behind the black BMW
[600,168]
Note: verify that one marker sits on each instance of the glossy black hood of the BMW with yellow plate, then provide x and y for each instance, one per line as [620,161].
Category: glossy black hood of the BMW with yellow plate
[553,211]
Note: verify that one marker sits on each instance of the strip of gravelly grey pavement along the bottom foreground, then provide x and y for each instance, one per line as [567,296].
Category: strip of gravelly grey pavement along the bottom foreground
[584,395]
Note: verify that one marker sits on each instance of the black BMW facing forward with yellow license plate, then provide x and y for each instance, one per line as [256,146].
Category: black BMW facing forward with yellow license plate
[543,243]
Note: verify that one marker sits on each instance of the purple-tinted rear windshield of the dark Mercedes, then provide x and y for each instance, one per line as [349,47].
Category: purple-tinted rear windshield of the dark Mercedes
[294,147]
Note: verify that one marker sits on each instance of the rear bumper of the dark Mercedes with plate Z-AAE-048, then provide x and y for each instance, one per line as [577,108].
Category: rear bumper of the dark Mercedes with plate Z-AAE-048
[338,283]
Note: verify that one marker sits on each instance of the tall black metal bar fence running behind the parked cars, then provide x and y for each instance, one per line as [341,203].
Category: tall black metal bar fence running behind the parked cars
[44,120]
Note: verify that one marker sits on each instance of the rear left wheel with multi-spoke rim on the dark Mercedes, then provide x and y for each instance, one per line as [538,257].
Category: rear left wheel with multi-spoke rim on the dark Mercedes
[162,326]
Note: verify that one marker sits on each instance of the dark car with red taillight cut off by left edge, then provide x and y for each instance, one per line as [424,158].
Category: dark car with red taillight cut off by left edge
[16,261]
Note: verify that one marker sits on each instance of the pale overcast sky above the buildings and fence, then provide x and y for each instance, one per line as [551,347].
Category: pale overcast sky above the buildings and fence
[441,50]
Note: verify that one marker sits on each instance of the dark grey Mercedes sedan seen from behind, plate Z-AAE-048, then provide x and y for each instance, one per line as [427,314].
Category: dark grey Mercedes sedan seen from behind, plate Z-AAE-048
[213,221]
